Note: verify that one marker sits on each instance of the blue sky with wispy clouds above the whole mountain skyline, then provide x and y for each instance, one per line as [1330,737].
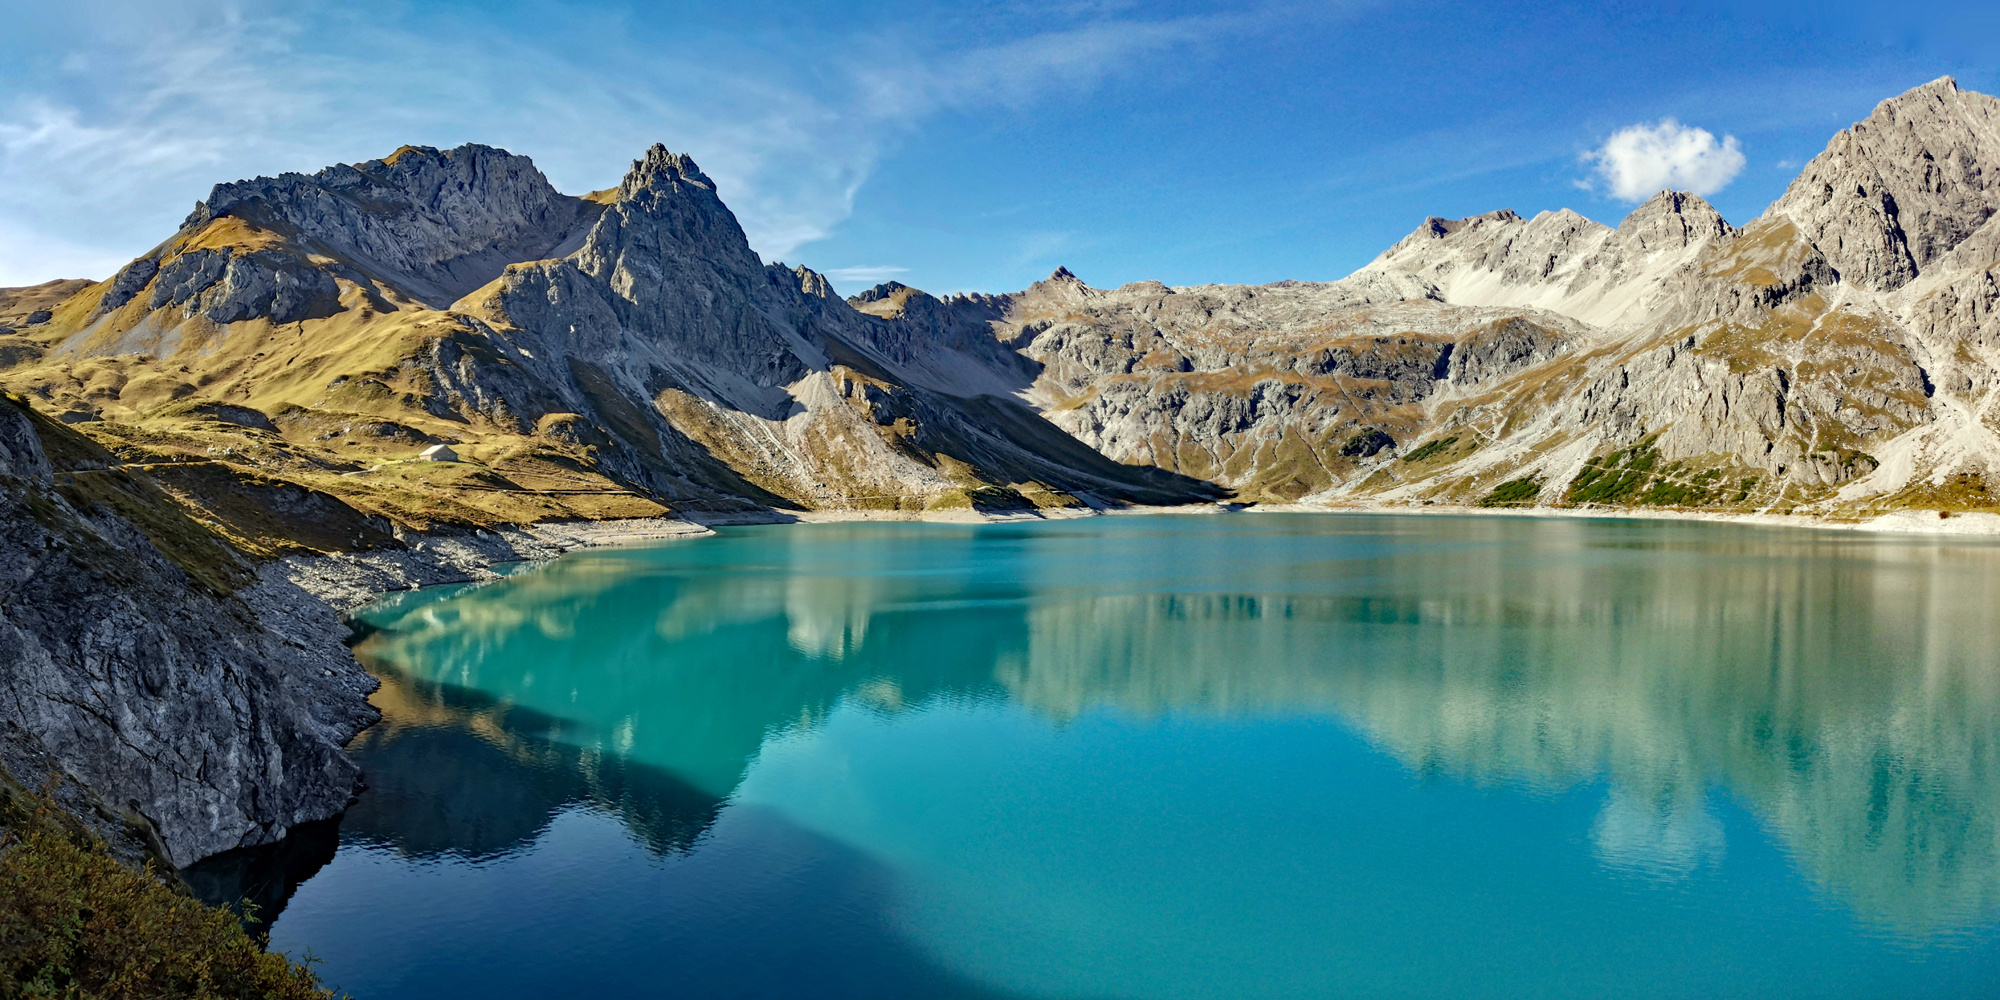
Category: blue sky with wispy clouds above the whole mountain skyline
[961,147]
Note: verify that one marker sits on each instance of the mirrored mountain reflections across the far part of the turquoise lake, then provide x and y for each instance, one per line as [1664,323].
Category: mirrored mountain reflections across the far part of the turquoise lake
[1845,689]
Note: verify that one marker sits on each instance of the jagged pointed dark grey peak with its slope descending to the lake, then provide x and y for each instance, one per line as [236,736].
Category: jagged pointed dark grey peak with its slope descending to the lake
[763,375]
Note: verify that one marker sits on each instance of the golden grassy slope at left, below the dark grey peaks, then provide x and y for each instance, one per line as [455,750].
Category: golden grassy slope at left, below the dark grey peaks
[307,405]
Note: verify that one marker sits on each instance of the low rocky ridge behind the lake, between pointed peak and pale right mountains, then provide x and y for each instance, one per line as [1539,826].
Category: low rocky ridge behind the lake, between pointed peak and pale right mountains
[1273,391]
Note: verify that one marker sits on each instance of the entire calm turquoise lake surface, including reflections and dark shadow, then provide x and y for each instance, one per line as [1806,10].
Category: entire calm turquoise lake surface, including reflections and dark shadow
[1193,757]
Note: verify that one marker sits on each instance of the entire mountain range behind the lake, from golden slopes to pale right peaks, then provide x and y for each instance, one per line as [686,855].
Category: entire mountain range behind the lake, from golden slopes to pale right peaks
[627,353]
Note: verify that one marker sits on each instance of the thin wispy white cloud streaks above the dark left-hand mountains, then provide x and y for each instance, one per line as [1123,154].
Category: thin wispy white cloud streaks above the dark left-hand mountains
[109,147]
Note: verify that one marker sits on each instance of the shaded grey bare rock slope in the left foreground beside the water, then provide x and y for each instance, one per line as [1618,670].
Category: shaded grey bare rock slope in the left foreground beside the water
[169,707]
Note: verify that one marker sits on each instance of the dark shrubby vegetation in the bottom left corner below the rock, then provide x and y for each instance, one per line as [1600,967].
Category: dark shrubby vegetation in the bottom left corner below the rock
[79,925]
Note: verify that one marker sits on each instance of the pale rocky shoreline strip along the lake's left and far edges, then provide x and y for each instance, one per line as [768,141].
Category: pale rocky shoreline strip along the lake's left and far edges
[303,603]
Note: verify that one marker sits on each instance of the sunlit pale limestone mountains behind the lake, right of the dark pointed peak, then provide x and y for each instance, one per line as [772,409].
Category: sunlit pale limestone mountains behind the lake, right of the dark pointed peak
[1833,355]
